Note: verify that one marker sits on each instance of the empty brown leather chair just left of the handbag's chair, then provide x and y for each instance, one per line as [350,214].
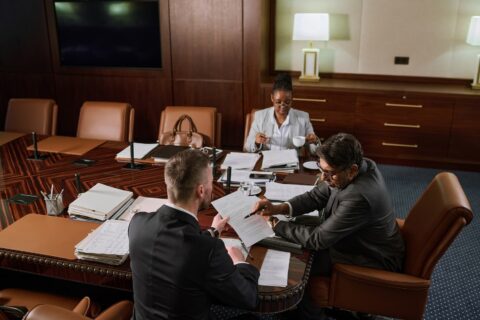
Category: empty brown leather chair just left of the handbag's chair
[111,121]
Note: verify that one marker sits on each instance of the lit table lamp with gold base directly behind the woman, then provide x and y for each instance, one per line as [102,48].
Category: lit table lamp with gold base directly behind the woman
[310,27]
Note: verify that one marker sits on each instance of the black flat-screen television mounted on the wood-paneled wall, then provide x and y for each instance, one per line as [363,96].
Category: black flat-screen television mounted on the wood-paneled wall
[122,33]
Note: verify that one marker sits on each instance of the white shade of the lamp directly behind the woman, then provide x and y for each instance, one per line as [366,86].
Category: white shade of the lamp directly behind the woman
[311,26]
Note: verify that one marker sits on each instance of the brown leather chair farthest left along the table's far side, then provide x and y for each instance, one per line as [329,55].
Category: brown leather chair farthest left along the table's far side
[28,115]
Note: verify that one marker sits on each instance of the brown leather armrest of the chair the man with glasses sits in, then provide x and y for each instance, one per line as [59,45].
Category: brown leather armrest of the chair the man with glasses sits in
[377,277]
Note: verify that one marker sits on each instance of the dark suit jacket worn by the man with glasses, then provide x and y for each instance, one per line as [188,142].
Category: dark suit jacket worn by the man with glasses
[359,227]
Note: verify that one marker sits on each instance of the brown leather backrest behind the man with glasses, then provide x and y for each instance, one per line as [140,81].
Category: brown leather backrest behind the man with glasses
[433,223]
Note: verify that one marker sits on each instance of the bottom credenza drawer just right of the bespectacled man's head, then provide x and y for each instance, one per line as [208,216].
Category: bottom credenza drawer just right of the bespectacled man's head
[404,145]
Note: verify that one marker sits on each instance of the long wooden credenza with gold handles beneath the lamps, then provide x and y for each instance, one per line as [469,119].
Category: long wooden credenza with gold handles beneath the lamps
[397,122]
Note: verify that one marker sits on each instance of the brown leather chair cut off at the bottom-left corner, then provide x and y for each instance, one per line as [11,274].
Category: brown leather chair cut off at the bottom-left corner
[15,302]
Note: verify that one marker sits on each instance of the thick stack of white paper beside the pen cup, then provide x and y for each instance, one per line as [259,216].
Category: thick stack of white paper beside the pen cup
[100,202]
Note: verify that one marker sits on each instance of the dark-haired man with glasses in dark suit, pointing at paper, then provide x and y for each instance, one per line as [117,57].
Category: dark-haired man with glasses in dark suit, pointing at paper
[358,224]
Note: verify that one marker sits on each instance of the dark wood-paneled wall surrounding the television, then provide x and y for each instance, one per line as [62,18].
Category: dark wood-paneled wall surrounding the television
[212,55]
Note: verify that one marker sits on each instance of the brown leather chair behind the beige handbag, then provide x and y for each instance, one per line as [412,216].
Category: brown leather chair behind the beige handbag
[207,120]
